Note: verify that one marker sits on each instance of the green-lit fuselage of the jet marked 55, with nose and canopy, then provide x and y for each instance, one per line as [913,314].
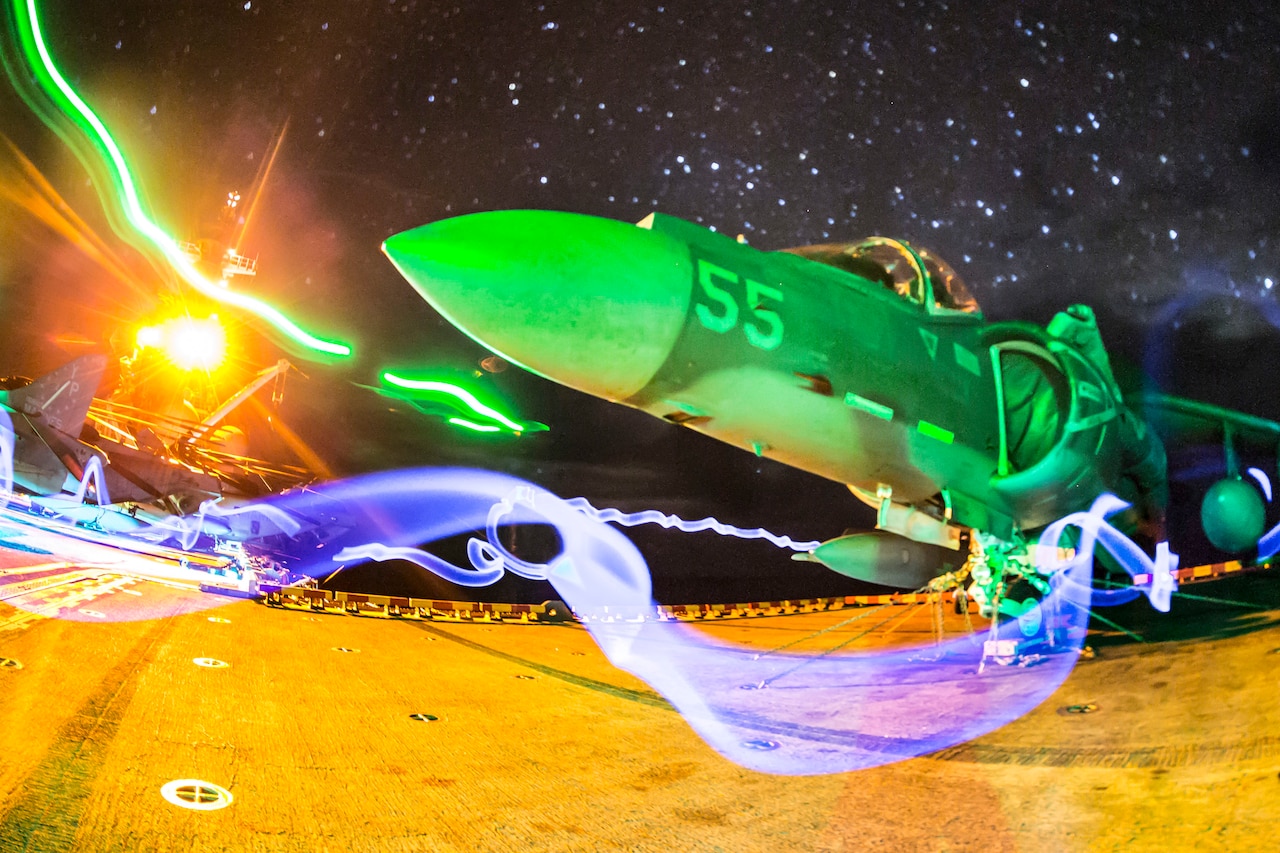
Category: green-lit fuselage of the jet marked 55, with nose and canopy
[868,364]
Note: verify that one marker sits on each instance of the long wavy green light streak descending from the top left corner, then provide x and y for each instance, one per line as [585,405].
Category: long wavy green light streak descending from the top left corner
[62,93]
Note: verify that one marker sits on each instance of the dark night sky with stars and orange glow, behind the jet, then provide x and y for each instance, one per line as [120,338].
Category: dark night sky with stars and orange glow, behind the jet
[1127,156]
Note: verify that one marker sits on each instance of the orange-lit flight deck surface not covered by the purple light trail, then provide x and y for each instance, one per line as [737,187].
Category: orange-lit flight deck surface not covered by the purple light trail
[541,745]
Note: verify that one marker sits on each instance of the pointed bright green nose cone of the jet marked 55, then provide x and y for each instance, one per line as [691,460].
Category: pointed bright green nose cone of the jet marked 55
[591,303]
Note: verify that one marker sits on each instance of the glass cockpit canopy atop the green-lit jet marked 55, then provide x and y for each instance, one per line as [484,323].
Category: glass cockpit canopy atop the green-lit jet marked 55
[913,273]
